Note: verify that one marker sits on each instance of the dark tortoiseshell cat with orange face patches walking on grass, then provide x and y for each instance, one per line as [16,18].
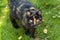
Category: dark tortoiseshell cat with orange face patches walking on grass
[25,12]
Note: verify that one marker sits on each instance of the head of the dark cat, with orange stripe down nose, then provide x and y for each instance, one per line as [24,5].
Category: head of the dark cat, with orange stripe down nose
[34,17]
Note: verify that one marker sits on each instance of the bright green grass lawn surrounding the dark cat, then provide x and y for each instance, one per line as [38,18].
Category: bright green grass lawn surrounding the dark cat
[50,14]
